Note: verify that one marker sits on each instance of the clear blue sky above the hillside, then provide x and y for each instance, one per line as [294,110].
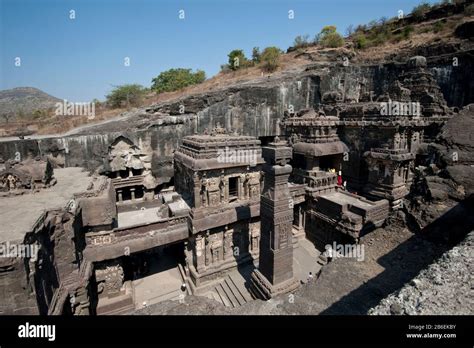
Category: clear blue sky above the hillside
[82,59]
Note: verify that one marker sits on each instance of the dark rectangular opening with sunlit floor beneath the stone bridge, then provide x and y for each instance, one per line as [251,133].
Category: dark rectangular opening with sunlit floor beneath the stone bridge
[156,275]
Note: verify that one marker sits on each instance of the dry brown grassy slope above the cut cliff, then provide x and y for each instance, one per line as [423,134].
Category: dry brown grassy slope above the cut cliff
[441,34]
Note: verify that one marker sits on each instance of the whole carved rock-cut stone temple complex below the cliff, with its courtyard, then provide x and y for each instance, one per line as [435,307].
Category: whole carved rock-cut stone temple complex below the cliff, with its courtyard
[231,214]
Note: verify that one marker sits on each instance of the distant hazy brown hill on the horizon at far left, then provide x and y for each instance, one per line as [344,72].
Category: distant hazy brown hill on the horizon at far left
[23,101]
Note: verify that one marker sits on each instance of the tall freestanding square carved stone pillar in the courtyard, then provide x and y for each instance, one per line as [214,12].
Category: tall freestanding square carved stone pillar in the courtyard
[275,272]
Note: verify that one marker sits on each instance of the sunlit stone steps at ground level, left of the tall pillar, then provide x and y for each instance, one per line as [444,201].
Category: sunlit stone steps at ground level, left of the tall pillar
[231,292]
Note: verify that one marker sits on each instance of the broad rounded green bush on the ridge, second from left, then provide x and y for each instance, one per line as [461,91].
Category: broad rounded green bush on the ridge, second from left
[175,79]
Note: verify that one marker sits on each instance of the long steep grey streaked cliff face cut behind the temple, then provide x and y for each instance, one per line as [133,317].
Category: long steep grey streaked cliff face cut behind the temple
[251,108]
